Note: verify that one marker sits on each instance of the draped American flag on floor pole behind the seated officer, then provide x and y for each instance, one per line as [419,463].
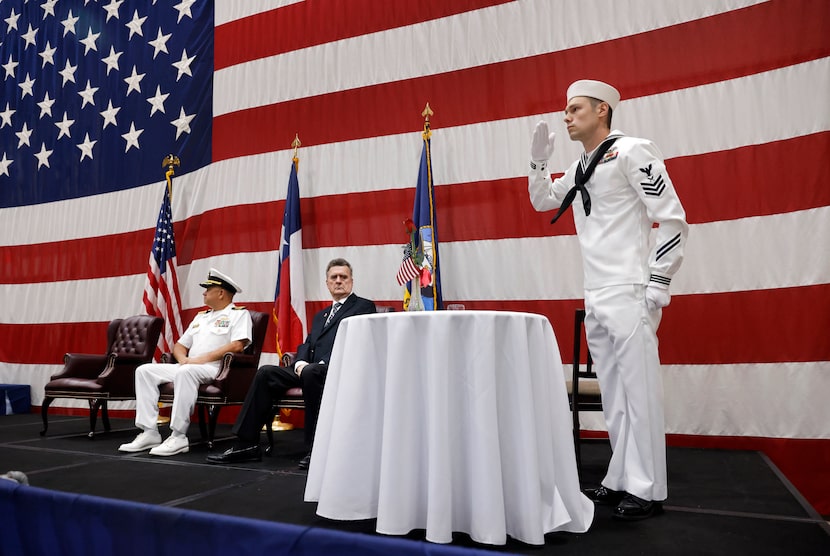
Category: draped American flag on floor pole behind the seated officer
[161,292]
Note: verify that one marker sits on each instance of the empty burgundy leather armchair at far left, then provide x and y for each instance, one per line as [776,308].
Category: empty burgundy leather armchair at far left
[111,376]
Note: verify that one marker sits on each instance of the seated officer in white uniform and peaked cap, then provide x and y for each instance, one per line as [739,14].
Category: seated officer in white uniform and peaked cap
[222,328]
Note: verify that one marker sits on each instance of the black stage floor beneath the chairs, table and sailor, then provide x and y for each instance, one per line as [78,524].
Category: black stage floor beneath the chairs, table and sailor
[720,501]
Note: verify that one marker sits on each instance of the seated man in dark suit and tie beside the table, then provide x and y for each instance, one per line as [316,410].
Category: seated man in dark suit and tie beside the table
[308,371]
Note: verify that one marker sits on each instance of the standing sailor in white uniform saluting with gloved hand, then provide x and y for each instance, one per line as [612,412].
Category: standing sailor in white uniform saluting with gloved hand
[619,188]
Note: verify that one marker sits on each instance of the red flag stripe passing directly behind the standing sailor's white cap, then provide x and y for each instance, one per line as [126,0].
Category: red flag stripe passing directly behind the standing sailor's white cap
[722,47]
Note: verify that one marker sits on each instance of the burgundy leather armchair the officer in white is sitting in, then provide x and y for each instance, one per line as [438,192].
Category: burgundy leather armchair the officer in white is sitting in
[231,383]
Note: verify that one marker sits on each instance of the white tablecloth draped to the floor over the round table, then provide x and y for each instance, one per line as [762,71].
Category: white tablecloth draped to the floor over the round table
[448,421]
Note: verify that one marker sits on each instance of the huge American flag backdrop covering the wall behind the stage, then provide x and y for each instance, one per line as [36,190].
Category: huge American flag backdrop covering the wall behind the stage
[96,92]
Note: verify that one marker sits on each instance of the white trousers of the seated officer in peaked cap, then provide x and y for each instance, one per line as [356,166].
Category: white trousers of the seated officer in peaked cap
[186,380]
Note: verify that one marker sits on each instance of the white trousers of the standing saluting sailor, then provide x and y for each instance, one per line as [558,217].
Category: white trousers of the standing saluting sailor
[622,337]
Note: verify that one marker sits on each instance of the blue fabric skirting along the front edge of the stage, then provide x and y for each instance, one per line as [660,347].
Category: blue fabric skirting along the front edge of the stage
[39,521]
